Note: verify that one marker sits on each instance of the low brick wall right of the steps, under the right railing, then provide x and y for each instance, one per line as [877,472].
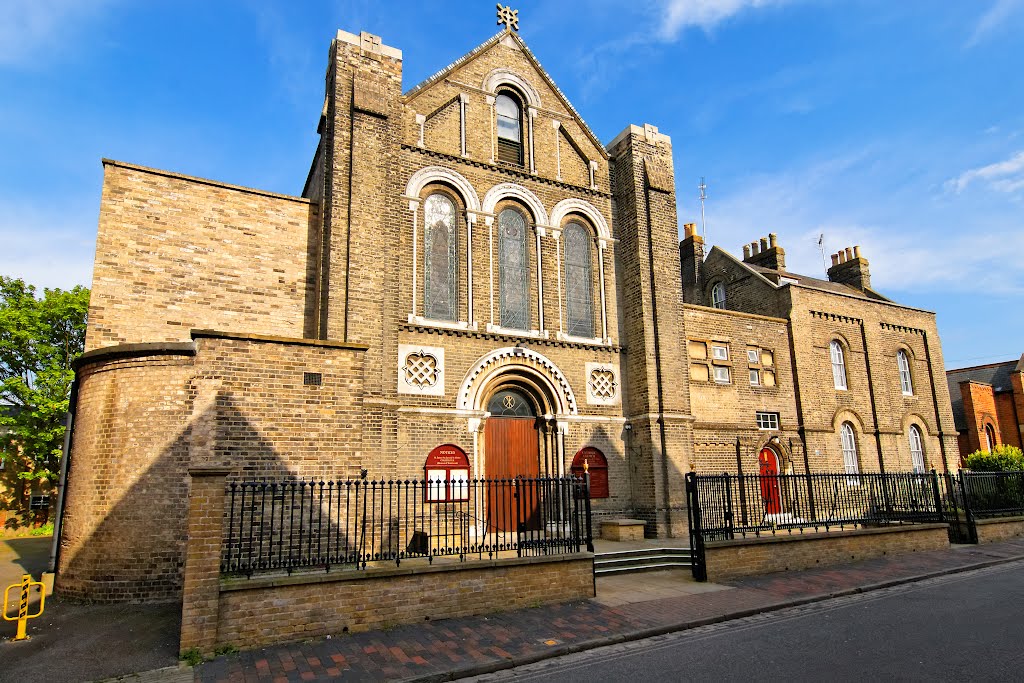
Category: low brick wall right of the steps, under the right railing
[734,560]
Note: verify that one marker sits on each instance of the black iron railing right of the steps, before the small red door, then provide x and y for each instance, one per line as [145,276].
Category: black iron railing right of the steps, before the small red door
[729,506]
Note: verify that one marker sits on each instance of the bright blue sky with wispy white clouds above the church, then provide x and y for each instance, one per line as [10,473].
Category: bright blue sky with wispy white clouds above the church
[898,126]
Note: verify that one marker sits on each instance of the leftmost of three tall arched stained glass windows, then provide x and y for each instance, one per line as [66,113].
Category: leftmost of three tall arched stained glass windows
[440,259]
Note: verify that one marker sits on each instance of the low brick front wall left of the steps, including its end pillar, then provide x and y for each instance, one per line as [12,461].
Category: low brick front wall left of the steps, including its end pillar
[253,613]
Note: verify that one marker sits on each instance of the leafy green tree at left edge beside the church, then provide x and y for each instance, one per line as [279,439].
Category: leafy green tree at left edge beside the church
[39,339]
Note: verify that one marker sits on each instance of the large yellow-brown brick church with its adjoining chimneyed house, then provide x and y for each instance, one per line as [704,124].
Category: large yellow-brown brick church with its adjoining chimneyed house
[468,268]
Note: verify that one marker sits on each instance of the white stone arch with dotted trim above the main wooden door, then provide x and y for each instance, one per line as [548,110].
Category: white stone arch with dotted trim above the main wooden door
[472,394]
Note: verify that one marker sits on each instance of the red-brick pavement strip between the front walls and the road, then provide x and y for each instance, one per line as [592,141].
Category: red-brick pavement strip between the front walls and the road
[453,649]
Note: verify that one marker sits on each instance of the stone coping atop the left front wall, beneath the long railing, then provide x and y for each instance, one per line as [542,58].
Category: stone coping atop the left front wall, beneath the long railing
[443,565]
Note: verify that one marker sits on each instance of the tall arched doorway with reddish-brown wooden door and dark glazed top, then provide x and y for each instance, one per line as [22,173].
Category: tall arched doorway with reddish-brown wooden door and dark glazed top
[511,443]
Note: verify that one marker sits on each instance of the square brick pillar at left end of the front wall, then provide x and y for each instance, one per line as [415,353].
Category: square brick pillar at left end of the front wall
[202,585]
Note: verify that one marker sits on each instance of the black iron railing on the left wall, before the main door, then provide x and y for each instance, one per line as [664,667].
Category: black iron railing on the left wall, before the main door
[293,525]
